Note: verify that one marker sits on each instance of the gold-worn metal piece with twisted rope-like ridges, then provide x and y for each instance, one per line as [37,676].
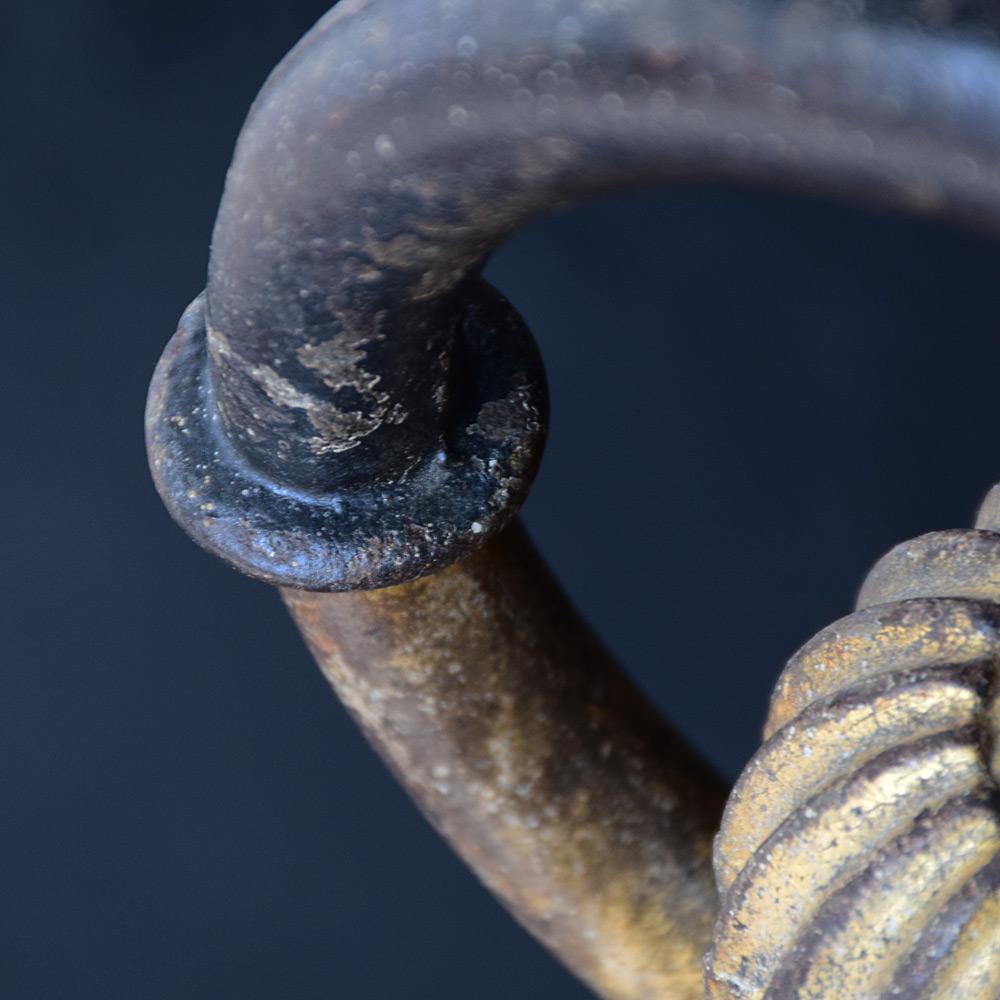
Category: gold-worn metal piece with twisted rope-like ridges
[859,855]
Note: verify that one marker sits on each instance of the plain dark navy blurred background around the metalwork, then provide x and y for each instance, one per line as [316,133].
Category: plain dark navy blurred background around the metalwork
[753,397]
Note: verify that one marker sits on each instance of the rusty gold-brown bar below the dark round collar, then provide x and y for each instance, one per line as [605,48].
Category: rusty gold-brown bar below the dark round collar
[537,759]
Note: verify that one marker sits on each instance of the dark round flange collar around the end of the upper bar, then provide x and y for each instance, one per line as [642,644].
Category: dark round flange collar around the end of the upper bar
[378,535]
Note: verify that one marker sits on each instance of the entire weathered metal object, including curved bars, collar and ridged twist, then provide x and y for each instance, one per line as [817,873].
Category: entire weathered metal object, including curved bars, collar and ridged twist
[350,407]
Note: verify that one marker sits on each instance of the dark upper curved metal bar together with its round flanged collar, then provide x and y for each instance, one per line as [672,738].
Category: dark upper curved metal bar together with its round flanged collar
[394,148]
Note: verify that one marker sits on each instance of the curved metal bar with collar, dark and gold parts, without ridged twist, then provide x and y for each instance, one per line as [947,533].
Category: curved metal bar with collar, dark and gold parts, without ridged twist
[351,406]
